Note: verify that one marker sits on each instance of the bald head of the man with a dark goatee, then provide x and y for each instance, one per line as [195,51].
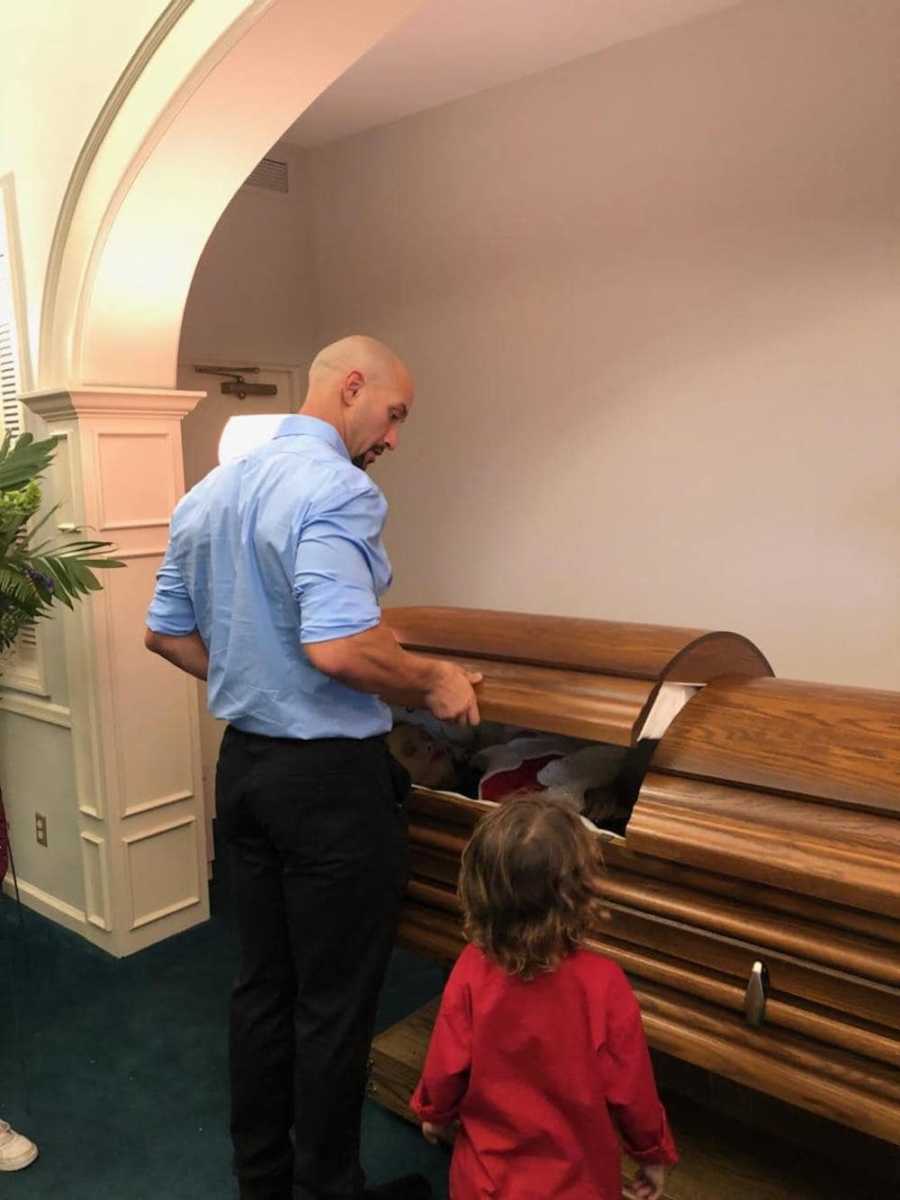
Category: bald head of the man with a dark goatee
[365,391]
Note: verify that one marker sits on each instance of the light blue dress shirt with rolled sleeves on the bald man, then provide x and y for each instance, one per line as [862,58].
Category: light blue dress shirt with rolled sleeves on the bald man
[277,549]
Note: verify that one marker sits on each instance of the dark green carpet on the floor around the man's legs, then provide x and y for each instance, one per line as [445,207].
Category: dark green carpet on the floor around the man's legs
[118,1069]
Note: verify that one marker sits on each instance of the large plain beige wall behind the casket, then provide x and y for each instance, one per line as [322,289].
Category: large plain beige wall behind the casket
[652,302]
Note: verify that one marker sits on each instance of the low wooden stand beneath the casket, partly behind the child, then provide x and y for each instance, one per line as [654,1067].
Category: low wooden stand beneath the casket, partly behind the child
[734,1142]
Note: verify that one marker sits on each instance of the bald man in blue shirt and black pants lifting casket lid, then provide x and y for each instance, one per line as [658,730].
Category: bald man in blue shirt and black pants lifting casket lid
[269,591]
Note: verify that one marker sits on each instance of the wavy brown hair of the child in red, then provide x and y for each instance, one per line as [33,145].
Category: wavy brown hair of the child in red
[531,885]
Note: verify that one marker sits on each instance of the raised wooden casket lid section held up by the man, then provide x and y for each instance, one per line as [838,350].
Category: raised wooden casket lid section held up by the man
[596,680]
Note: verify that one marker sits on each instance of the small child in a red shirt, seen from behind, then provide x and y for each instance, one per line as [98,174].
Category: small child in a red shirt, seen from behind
[538,1064]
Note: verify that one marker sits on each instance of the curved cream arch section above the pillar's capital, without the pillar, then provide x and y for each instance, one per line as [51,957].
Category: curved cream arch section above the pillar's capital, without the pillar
[225,81]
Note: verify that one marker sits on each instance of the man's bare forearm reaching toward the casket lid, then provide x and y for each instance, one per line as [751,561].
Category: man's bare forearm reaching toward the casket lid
[375,663]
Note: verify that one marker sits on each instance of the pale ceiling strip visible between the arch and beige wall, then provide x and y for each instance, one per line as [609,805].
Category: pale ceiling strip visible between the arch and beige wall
[453,49]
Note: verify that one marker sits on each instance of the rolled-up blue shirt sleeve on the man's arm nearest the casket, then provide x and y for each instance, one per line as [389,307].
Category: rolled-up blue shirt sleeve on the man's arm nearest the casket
[341,569]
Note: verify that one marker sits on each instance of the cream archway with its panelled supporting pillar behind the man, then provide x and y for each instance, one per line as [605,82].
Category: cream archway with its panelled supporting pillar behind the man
[209,91]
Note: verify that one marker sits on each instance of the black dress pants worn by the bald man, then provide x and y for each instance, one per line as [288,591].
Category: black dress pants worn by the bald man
[317,841]
